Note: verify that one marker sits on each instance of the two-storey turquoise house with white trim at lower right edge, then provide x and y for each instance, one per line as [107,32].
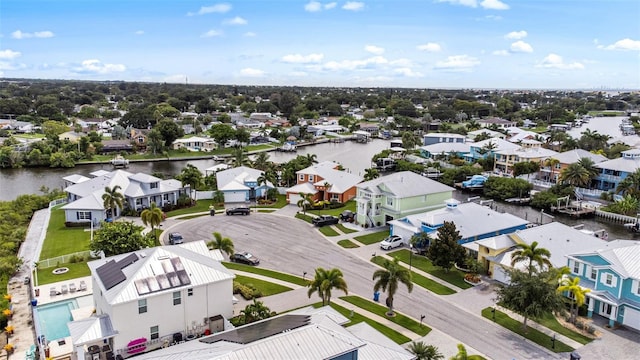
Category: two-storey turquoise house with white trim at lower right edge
[612,273]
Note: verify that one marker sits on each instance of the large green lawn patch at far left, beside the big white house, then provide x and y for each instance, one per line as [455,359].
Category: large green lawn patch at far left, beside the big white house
[61,240]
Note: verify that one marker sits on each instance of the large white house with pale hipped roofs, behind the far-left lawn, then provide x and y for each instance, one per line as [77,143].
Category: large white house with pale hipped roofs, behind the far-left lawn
[85,203]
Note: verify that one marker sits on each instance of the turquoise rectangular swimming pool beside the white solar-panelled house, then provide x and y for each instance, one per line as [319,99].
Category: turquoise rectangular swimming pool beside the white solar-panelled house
[53,318]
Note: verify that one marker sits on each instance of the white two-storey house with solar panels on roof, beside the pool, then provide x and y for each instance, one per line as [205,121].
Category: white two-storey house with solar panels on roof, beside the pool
[155,296]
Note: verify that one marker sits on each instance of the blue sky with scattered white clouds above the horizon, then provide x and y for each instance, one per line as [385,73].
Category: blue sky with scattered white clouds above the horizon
[511,44]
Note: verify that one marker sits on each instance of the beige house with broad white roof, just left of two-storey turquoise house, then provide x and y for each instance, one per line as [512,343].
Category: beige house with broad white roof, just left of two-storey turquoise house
[495,252]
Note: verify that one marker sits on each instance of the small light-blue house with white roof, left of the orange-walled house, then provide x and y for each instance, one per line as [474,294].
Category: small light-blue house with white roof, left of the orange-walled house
[240,184]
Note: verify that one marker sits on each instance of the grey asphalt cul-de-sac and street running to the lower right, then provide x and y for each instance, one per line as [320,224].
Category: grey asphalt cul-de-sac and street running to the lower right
[289,245]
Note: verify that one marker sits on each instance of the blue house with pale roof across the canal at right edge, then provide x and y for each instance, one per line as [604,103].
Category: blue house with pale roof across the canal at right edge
[613,171]
